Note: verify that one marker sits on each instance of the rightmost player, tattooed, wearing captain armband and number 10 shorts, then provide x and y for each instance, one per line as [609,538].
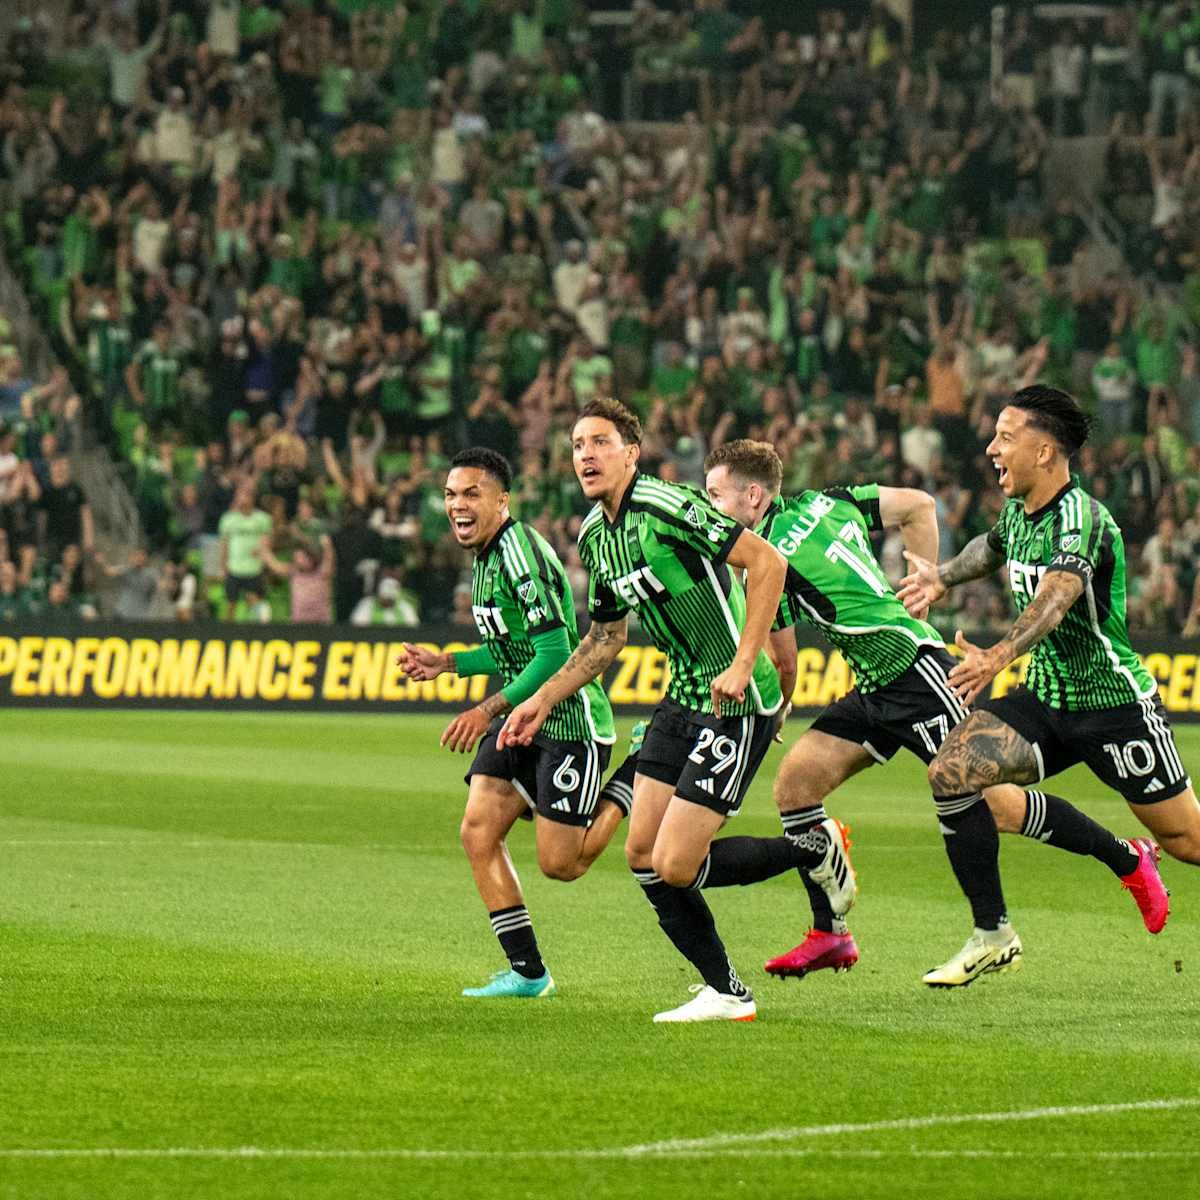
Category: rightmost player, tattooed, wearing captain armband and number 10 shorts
[1087,698]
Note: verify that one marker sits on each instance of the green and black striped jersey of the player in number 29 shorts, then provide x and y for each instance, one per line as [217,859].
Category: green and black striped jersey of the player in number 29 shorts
[664,557]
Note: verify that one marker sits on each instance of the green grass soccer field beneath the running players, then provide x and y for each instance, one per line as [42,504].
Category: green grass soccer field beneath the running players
[233,949]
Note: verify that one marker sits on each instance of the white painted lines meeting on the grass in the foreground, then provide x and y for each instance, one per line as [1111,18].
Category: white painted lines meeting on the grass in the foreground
[717,1147]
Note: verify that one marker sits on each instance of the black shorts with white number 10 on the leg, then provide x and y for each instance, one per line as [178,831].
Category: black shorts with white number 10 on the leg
[1131,748]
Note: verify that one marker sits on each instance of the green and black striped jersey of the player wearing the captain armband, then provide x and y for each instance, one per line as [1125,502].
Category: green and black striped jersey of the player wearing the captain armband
[1088,662]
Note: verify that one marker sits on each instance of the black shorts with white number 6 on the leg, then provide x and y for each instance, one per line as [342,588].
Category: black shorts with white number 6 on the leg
[559,781]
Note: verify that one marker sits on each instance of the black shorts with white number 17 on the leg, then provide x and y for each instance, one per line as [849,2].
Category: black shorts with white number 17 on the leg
[916,711]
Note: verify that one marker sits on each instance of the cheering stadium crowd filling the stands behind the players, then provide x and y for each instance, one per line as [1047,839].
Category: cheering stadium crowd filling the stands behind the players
[295,255]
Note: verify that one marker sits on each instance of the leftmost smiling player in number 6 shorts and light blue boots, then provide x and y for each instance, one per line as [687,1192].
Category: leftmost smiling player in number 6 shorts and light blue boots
[526,619]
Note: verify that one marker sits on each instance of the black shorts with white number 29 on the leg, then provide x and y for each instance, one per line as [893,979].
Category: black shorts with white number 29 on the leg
[709,760]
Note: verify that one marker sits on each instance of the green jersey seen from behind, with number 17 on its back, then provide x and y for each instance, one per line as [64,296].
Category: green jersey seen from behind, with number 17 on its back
[836,584]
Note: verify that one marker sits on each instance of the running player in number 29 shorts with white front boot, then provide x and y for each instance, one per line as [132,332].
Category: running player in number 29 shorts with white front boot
[665,553]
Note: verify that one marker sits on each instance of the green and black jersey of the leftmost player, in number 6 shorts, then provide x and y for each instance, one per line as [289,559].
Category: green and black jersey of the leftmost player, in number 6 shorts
[518,590]
